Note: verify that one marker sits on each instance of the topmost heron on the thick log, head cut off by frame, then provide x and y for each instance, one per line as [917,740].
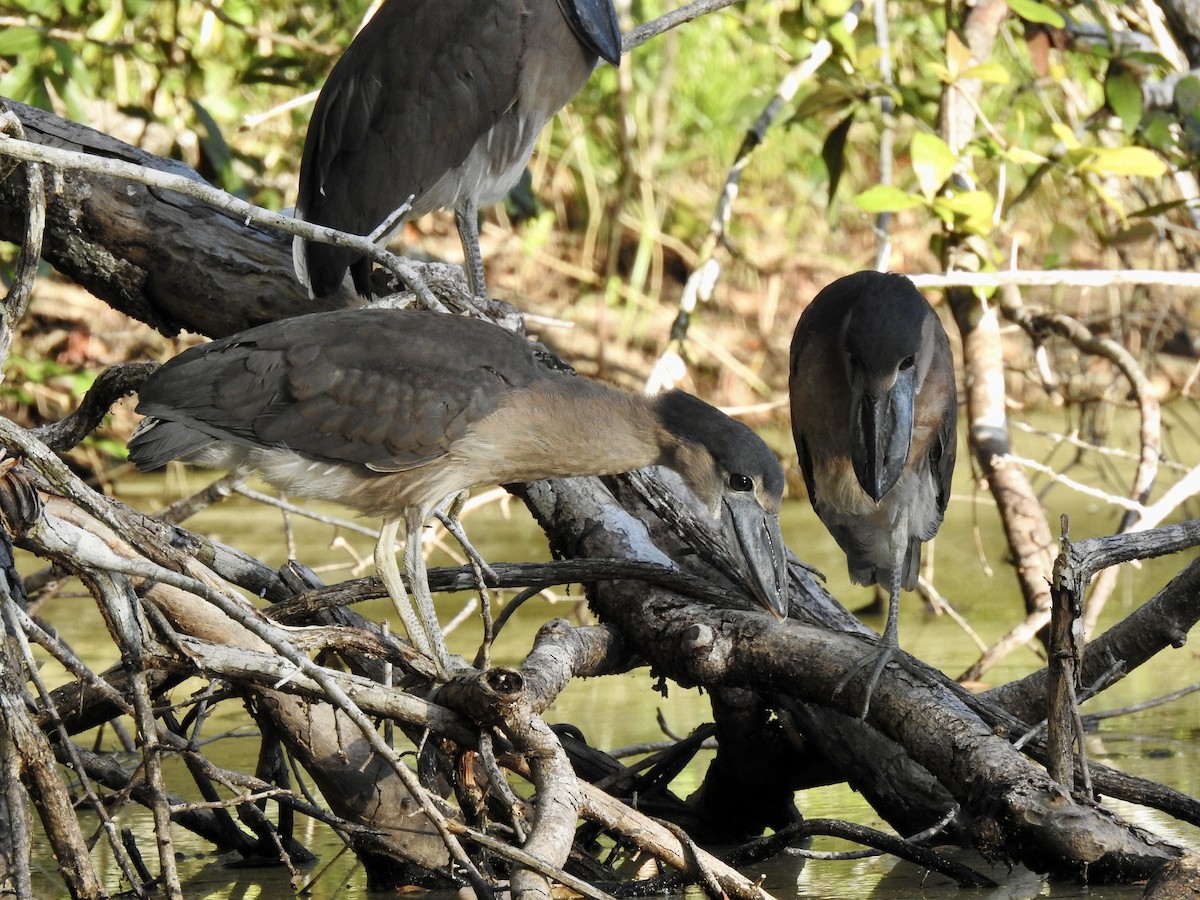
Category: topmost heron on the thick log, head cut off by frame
[439,104]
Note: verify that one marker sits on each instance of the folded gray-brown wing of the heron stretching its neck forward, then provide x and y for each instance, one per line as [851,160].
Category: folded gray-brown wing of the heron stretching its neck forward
[377,388]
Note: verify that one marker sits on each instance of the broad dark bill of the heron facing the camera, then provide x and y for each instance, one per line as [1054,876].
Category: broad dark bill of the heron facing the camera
[881,430]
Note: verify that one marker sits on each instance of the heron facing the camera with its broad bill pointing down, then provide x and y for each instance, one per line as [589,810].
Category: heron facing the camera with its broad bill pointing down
[874,415]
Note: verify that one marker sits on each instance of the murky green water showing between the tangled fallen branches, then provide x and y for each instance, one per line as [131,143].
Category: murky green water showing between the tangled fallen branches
[971,572]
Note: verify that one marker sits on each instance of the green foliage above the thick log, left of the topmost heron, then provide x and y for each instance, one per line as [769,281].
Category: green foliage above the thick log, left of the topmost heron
[196,68]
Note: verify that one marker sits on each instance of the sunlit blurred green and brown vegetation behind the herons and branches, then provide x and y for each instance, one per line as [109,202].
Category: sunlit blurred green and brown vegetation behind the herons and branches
[1073,164]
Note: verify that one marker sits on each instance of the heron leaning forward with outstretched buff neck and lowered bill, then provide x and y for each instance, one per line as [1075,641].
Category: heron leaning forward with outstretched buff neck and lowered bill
[391,412]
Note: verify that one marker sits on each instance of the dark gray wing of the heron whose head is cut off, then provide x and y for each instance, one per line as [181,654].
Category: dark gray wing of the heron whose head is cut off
[406,103]
